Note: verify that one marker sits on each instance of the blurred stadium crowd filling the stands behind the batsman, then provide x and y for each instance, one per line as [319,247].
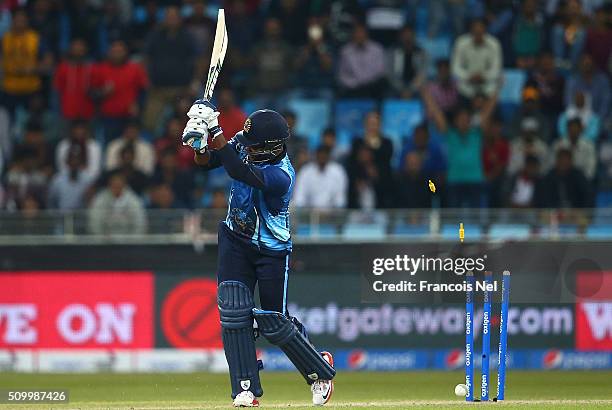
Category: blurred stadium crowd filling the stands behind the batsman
[93,97]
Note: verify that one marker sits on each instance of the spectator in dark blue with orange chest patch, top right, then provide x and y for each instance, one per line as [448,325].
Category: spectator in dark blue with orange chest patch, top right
[568,35]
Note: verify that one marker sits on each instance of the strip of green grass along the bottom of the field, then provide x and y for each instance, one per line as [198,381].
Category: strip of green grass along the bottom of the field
[433,390]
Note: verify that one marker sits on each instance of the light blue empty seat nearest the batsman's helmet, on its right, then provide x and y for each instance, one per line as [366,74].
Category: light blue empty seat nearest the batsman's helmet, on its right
[313,117]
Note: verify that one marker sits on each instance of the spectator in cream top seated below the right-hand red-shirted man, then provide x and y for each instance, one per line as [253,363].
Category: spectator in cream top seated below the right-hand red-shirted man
[144,159]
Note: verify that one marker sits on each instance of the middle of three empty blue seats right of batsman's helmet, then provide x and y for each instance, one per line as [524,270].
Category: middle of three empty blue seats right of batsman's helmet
[349,119]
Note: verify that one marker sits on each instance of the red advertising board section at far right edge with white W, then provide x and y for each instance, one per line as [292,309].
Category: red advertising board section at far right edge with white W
[594,311]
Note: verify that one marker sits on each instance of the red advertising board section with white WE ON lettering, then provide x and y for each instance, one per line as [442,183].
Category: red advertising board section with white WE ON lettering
[76,309]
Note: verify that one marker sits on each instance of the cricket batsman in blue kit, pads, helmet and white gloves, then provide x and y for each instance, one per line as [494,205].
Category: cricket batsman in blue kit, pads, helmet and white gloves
[254,249]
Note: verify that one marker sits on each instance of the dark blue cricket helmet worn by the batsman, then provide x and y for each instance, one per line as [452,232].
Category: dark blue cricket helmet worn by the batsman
[264,135]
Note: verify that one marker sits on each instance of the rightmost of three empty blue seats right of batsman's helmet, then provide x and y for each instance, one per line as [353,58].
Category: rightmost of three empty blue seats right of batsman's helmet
[399,118]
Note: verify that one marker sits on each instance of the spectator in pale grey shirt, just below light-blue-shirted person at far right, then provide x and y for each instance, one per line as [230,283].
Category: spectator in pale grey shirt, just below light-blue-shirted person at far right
[583,150]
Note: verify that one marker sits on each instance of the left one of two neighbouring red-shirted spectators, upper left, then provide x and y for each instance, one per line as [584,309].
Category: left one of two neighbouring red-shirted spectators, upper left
[72,81]
